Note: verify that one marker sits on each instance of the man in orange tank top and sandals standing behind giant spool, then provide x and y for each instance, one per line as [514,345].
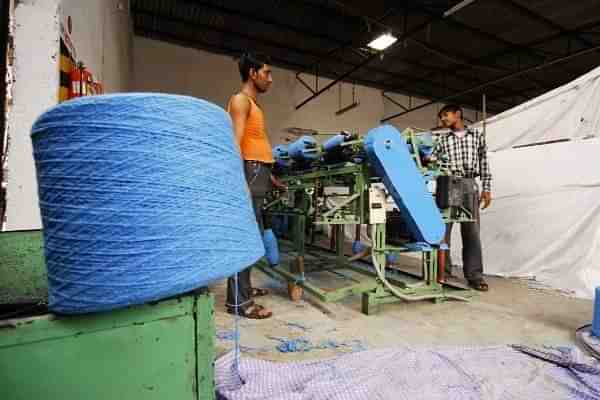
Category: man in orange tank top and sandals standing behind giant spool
[255,149]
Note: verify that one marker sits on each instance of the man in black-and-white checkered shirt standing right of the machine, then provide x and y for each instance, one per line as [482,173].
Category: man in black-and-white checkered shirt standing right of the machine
[465,151]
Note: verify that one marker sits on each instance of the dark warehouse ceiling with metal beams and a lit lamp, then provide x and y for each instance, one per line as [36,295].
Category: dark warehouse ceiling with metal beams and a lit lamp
[511,50]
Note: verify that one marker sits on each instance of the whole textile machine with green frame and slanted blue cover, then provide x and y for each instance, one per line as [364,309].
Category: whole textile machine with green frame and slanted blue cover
[386,182]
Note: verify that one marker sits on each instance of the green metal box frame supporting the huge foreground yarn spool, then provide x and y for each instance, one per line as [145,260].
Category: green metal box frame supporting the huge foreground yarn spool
[163,350]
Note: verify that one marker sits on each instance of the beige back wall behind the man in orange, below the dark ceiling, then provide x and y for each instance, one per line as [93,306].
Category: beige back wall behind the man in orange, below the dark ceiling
[168,68]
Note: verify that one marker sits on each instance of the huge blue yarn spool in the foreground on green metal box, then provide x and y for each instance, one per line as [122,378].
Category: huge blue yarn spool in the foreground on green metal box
[142,197]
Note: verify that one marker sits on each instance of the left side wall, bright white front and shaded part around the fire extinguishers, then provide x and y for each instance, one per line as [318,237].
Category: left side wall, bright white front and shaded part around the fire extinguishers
[102,35]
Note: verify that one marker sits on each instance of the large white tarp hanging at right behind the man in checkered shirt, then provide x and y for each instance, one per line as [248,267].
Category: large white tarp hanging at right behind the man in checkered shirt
[545,218]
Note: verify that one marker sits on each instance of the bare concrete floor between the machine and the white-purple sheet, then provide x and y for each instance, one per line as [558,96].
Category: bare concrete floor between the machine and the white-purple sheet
[509,313]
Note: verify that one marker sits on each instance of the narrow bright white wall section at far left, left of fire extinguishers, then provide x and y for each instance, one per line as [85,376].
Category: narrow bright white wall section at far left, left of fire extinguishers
[35,89]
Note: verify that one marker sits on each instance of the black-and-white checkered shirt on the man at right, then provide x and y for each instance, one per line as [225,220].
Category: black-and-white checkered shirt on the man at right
[466,157]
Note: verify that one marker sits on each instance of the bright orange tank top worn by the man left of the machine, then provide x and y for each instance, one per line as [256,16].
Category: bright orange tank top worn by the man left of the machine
[255,143]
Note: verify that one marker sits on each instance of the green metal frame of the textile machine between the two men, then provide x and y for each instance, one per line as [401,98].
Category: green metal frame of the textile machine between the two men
[301,204]
